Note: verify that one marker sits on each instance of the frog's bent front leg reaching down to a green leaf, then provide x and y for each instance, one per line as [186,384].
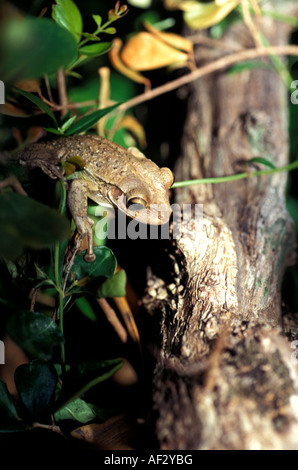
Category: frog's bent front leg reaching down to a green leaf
[78,205]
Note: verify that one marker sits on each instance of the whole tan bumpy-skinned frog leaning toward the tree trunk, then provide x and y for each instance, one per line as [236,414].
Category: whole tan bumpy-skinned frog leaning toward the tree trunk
[112,175]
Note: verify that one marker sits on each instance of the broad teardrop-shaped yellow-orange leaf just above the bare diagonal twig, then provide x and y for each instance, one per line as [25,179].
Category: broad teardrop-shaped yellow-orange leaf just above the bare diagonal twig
[144,51]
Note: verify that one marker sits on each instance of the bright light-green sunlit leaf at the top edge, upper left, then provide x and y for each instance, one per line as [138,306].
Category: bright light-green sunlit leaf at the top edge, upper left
[68,16]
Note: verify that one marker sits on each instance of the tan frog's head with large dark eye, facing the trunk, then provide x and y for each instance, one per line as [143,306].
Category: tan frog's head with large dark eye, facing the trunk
[145,196]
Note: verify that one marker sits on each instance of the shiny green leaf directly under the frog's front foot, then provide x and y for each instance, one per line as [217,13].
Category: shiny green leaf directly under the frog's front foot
[104,265]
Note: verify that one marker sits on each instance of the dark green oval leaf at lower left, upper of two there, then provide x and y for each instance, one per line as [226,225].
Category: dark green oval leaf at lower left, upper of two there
[35,333]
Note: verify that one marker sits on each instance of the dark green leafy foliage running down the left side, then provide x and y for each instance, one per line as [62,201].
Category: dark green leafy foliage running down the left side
[35,234]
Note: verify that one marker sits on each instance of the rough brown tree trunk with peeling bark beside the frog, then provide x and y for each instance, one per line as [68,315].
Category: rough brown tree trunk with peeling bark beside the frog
[224,378]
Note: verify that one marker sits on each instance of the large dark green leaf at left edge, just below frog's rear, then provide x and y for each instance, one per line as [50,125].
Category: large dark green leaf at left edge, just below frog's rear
[27,223]
